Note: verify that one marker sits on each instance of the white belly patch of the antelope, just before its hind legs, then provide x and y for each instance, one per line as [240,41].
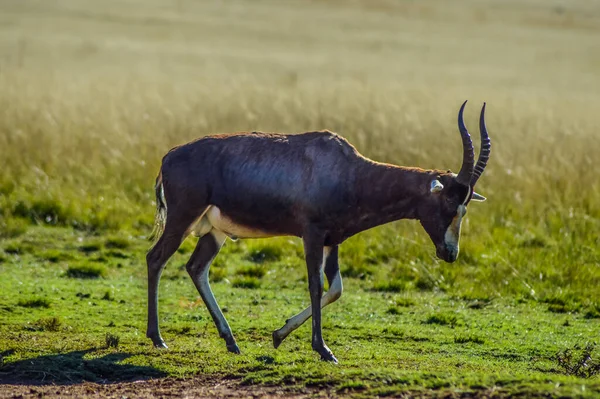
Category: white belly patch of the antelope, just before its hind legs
[214,218]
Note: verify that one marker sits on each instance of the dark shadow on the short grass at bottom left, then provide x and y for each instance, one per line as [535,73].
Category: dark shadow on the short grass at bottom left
[72,368]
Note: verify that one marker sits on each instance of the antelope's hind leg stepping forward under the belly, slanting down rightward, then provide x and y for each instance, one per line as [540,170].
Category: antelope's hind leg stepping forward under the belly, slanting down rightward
[198,265]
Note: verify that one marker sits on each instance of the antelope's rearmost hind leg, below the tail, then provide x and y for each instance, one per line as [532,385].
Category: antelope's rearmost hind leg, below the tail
[174,233]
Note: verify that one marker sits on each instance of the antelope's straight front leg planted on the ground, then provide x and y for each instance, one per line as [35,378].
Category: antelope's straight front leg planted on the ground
[313,250]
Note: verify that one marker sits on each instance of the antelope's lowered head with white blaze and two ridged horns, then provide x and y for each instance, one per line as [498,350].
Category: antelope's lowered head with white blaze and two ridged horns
[448,194]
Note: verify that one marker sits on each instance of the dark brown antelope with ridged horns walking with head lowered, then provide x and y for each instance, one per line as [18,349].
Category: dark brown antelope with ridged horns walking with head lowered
[313,185]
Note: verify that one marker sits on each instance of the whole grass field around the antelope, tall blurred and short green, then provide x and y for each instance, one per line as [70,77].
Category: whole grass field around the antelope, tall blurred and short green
[93,94]
